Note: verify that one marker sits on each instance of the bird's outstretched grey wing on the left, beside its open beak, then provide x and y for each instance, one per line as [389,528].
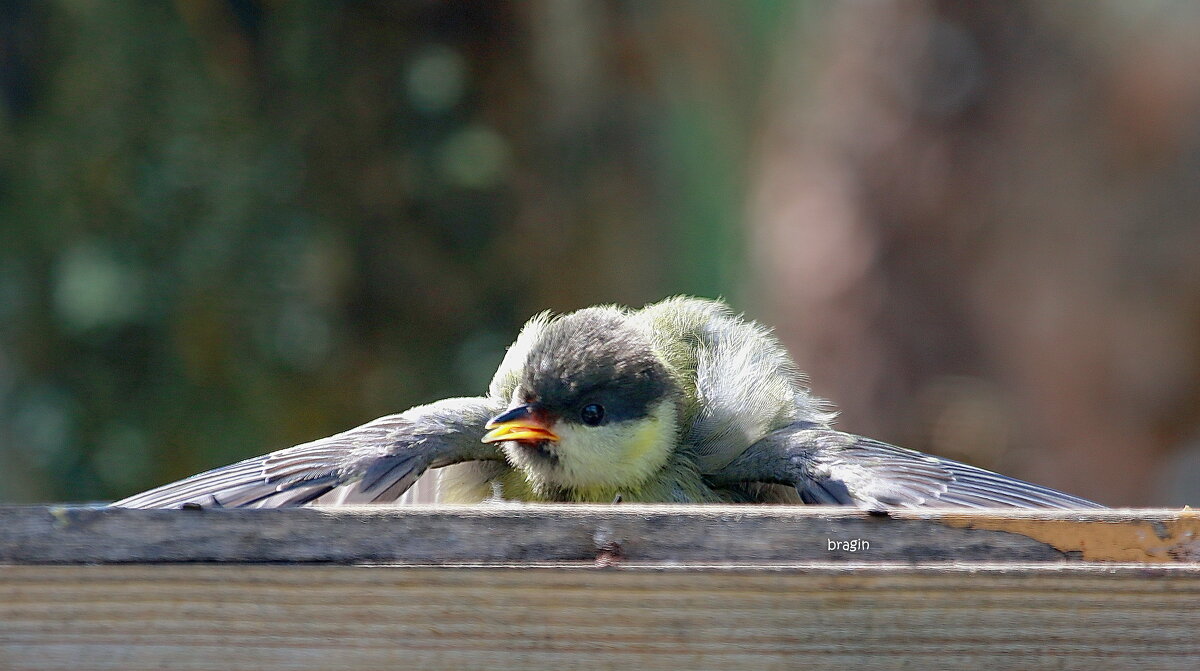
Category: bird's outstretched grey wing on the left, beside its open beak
[376,463]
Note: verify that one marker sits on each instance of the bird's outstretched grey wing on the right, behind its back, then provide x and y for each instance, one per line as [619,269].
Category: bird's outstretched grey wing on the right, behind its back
[831,468]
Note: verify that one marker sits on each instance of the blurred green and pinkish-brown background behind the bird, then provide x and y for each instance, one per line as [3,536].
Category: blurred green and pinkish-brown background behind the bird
[230,226]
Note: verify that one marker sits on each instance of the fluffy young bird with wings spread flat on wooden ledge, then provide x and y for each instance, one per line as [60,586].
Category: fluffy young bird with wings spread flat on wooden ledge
[680,402]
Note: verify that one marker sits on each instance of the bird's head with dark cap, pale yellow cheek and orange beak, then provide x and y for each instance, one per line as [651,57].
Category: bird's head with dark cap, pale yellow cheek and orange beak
[595,411]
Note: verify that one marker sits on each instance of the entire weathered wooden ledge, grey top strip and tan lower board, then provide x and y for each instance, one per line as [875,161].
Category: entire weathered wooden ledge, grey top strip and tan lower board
[597,588]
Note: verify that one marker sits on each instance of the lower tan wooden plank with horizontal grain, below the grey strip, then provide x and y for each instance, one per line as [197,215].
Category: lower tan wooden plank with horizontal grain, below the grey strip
[855,616]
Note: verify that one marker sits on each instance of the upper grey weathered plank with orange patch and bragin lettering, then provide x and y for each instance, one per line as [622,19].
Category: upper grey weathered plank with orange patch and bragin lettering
[751,535]
